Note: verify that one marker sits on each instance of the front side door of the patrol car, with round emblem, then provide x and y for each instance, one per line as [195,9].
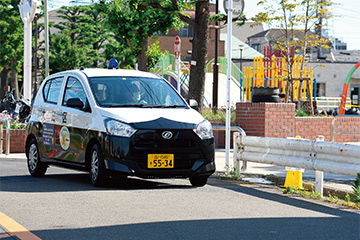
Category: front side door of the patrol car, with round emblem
[73,122]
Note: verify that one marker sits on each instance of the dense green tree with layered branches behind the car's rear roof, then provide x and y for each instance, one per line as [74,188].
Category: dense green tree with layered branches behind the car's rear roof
[81,37]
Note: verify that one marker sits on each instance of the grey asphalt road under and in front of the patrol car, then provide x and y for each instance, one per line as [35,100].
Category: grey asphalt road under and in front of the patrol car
[64,205]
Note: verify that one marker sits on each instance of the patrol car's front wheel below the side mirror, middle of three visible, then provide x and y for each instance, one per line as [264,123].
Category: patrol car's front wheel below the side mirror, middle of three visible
[98,175]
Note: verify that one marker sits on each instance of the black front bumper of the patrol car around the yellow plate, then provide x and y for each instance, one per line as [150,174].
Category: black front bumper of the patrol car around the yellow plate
[129,156]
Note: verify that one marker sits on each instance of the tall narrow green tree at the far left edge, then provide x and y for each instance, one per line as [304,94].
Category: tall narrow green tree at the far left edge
[11,44]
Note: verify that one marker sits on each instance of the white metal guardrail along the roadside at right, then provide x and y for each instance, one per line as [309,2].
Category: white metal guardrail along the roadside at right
[328,157]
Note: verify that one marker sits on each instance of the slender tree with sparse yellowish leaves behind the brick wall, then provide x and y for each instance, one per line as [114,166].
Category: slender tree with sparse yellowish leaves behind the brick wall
[292,16]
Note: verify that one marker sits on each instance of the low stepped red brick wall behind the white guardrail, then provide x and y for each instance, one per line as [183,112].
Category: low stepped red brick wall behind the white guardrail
[278,120]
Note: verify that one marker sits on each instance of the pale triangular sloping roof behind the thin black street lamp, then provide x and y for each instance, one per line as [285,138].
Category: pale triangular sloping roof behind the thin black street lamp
[248,52]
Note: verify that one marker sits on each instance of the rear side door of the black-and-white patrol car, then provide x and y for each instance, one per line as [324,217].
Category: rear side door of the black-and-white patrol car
[45,110]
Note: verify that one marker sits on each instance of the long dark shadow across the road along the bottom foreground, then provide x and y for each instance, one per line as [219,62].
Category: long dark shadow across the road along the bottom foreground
[238,228]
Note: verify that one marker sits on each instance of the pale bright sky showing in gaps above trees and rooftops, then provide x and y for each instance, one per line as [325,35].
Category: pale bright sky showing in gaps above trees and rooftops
[345,25]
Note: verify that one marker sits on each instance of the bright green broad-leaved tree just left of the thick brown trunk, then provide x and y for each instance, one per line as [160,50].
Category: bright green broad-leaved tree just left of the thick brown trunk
[133,23]
